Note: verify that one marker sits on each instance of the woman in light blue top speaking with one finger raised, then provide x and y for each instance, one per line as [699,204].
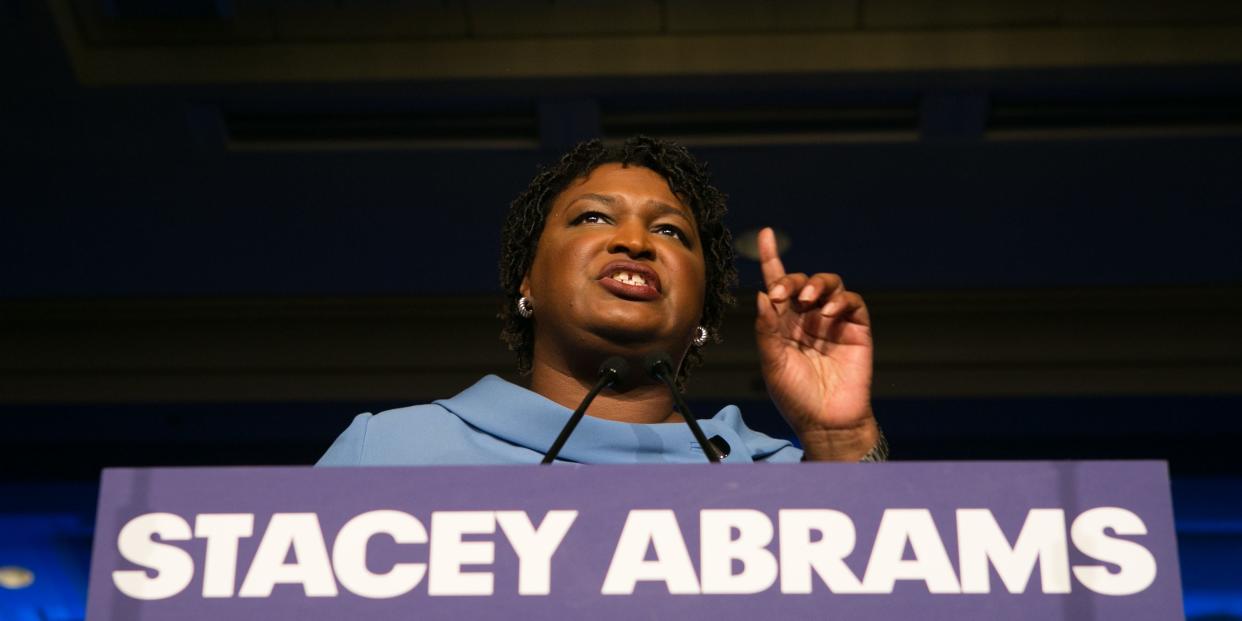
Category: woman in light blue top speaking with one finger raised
[623,252]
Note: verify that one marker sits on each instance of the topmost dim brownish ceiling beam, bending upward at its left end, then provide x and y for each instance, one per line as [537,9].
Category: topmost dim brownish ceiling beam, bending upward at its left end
[645,55]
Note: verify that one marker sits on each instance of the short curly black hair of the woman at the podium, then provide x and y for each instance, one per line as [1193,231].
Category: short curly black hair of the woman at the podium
[687,178]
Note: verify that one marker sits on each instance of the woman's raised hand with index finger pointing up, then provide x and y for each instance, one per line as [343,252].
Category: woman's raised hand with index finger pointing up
[815,352]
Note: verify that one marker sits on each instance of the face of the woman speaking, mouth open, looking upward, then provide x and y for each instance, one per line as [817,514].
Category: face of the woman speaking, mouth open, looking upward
[619,266]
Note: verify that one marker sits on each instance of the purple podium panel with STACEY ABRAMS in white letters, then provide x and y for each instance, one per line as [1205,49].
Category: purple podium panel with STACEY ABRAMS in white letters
[931,541]
